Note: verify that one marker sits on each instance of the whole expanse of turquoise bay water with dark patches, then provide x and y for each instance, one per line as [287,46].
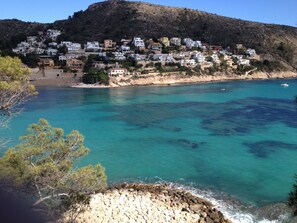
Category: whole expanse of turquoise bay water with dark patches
[238,138]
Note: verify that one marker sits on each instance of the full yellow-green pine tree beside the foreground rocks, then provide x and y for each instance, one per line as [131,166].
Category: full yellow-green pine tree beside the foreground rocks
[43,165]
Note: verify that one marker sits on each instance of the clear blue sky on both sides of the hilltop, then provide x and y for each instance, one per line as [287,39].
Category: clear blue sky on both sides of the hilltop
[268,11]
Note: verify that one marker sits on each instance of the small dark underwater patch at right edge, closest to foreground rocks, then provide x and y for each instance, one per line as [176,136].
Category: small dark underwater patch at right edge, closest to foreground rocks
[263,149]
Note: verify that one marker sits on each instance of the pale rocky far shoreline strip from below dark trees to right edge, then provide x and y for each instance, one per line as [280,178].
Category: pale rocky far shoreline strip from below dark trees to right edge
[174,79]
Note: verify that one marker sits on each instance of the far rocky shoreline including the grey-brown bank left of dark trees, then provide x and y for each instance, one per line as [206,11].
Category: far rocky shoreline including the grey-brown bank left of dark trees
[164,79]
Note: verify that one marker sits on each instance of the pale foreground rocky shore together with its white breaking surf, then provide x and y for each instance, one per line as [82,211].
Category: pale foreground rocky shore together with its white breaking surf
[167,203]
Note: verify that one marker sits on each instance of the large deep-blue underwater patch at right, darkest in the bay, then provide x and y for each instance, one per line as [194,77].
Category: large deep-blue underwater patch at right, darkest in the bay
[242,116]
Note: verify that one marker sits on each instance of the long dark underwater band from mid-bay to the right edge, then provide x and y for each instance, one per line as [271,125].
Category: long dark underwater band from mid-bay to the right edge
[235,117]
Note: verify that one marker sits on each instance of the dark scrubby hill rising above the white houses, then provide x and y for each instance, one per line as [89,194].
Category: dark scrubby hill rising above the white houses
[118,19]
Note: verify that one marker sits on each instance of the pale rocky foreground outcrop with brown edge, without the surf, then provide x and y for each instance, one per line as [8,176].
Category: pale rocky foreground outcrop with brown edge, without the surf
[131,203]
